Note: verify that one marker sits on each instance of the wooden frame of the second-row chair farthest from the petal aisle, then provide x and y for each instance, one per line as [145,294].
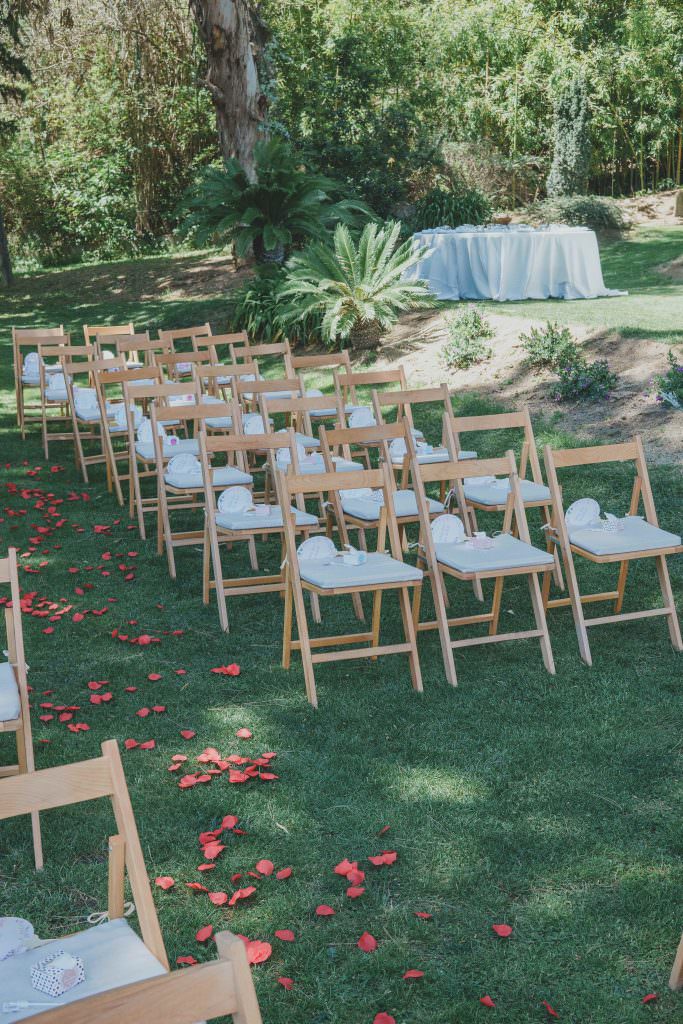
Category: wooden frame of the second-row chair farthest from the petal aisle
[529,460]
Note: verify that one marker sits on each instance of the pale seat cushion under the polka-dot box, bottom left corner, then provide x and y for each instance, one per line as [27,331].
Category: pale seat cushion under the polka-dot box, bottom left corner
[113,956]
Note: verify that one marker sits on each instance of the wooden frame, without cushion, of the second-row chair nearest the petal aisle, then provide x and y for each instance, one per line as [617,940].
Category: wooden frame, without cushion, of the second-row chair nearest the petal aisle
[239,448]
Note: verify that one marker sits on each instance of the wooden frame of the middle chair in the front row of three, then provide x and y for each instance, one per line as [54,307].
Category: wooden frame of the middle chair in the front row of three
[436,571]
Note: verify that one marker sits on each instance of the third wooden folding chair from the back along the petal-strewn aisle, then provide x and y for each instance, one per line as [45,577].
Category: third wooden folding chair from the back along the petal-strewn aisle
[91,423]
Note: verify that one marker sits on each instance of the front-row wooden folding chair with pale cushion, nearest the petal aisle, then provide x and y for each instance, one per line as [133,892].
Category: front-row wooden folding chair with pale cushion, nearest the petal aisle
[379,573]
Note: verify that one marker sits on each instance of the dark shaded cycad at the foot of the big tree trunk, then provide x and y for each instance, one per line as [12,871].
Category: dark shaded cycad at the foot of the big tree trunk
[285,205]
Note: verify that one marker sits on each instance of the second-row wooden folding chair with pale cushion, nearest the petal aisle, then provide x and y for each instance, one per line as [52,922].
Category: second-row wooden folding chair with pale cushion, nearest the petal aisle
[244,526]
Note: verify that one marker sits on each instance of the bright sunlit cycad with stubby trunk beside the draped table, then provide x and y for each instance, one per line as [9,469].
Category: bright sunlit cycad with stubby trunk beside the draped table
[358,289]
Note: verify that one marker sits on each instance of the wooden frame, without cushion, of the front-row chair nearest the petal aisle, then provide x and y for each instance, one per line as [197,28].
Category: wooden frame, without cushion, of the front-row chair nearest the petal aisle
[292,486]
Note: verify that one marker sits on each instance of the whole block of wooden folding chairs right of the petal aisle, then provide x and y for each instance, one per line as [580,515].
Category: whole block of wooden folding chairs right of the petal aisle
[200,412]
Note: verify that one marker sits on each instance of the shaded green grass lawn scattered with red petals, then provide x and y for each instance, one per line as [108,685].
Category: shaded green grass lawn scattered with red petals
[552,804]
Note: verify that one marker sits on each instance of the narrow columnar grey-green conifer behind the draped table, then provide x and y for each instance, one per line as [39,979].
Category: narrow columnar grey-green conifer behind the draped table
[572,141]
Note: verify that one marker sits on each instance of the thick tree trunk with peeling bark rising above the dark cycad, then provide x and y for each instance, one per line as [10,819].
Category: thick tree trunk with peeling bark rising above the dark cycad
[234,38]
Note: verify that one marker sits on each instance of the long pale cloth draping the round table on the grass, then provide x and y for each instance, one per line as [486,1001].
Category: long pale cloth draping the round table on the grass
[510,264]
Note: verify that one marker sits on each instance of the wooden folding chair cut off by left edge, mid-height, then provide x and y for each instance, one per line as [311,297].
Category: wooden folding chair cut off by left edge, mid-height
[15,710]
